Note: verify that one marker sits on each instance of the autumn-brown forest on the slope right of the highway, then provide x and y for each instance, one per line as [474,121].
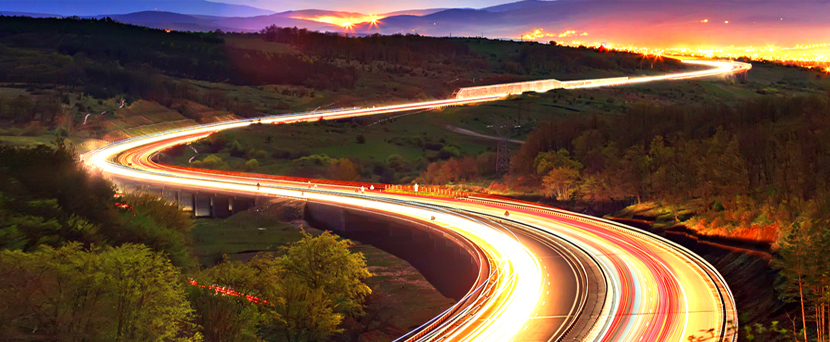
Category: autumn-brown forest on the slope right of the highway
[736,171]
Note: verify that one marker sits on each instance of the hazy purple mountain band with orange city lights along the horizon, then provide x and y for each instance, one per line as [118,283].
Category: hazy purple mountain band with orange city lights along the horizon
[665,23]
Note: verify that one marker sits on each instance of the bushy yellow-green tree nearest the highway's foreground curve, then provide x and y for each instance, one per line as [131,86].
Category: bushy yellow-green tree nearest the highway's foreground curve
[307,292]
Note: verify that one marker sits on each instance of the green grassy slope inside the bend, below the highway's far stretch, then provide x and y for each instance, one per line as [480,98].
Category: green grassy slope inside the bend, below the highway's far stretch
[385,136]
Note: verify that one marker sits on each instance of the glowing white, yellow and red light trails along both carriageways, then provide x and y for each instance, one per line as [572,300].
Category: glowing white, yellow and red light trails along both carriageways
[645,280]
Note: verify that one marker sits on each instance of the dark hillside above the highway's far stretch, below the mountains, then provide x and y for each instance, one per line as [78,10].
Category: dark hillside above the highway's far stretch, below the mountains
[98,80]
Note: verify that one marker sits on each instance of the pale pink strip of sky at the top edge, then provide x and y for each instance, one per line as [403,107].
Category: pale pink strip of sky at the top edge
[364,6]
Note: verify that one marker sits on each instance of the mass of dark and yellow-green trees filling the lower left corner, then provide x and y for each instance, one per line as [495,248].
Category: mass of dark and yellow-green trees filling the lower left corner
[78,263]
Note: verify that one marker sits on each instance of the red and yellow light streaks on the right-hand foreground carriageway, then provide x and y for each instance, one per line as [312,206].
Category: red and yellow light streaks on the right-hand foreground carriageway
[665,263]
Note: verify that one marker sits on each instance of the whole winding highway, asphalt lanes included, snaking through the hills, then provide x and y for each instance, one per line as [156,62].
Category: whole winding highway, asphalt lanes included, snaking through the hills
[548,274]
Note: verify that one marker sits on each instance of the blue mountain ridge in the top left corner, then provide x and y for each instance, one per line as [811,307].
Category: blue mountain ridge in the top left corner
[103,7]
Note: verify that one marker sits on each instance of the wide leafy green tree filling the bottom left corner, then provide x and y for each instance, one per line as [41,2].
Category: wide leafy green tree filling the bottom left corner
[126,293]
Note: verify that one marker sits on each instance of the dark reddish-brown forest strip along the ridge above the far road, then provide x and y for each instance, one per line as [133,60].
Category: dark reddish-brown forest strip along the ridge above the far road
[415,51]
